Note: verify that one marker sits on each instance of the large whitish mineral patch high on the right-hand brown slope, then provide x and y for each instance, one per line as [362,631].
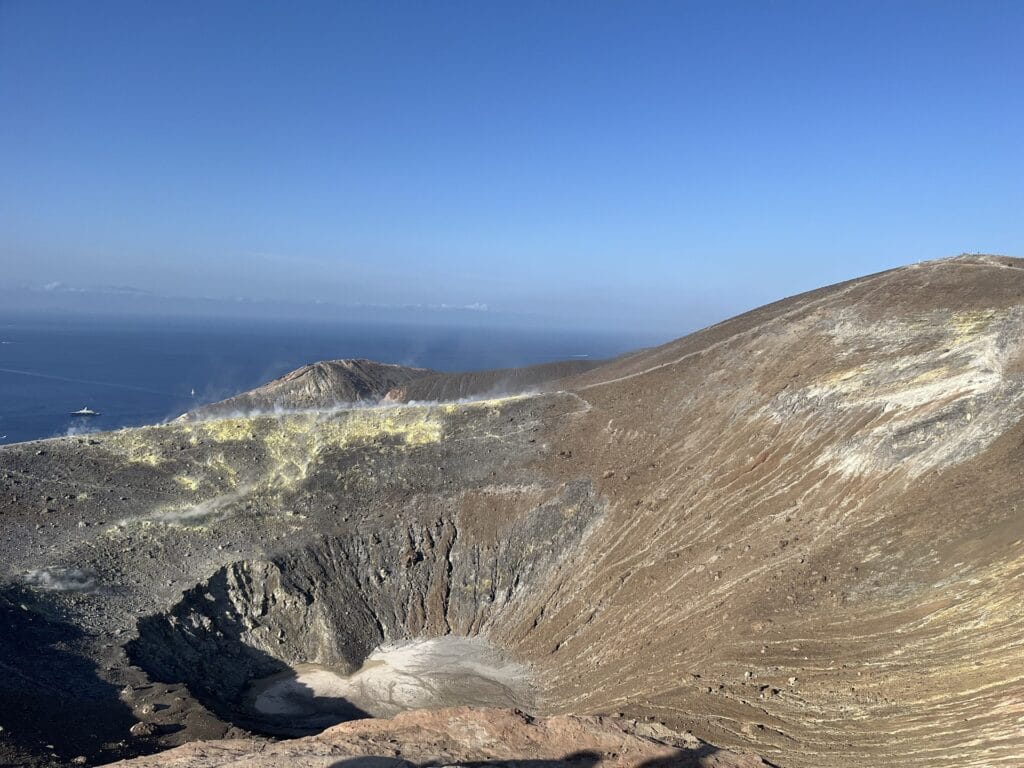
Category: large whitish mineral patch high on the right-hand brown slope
[935,406]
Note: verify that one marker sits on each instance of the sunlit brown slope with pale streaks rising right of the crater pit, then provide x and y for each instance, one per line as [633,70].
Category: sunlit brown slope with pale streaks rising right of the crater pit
[815,534]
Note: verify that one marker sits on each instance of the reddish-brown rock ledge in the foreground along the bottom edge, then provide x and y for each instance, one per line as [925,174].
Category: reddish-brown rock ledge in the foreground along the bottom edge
[488,738]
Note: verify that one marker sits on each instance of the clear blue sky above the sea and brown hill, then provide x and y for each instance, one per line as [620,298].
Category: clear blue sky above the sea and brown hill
[637,164]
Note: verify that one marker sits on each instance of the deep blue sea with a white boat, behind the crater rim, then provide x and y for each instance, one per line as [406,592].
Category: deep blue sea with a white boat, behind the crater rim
[143,371]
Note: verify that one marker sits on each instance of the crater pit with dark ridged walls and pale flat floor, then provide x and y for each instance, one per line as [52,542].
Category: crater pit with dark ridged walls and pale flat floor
[364,626]
